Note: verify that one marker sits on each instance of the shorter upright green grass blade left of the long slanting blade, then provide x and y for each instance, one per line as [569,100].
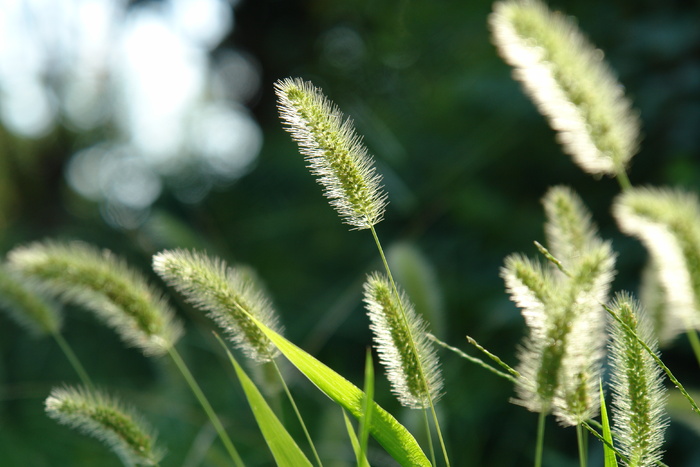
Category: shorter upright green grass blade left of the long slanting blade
[283,447]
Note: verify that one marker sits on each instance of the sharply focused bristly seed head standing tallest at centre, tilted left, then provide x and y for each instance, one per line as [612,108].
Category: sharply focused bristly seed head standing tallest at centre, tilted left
[334,152]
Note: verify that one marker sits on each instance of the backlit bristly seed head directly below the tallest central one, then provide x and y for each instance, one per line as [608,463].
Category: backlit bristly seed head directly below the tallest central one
[400,338]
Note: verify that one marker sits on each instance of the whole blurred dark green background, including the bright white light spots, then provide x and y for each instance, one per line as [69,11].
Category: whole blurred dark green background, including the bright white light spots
[152,124]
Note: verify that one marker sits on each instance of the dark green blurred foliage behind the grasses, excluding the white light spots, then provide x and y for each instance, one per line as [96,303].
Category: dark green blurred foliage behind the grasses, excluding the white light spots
[465,158]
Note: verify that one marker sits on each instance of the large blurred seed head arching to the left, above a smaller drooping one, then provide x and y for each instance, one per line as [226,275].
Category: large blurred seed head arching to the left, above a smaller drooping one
[81,274]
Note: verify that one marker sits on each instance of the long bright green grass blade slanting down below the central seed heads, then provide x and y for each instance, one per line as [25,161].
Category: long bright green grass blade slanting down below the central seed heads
[394,437]
